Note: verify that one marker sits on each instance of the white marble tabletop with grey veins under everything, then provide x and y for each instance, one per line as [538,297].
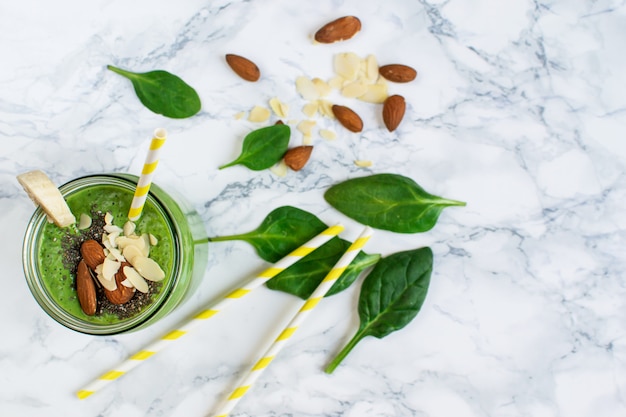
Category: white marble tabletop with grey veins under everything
[518,110]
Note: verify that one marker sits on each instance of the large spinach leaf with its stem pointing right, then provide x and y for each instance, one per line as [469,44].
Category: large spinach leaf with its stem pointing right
[388,201]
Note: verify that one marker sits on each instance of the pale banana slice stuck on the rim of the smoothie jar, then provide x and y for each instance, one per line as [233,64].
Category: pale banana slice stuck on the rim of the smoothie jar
[45,194]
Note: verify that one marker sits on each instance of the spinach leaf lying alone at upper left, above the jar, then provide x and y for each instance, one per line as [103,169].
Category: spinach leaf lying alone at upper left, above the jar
[163,93]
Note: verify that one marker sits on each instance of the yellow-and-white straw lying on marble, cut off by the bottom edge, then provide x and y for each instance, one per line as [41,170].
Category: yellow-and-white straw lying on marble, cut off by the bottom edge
[293,325]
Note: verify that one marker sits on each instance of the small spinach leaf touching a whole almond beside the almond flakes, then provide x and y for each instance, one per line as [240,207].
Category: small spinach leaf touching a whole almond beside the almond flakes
[263,147]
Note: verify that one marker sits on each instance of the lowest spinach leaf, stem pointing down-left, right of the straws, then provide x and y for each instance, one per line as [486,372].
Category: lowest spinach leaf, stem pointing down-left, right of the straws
[391,296]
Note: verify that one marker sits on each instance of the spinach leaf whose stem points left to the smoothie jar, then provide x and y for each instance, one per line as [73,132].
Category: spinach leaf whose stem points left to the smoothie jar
[282,231]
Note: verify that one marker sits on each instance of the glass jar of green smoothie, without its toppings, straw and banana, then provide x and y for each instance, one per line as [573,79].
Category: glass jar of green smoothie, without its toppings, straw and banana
[181,251]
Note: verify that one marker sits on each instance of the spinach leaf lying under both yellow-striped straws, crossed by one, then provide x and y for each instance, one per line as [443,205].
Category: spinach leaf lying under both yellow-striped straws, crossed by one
[302,278]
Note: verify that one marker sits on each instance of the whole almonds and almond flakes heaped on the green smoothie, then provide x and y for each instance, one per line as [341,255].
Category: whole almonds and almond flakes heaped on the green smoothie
[120,264]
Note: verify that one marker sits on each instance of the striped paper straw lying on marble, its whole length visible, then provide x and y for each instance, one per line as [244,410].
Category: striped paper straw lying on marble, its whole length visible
[209,312]
